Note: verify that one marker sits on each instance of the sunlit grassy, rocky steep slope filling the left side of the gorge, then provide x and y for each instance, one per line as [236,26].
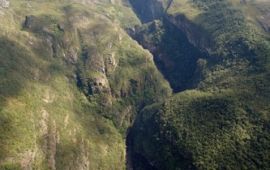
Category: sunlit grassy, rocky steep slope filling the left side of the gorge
[72,81]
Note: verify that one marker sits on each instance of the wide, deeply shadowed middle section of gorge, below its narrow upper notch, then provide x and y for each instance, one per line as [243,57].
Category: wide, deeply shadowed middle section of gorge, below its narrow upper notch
[174,55]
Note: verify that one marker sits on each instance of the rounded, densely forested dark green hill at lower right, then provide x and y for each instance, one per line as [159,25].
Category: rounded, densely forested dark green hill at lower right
[205,130]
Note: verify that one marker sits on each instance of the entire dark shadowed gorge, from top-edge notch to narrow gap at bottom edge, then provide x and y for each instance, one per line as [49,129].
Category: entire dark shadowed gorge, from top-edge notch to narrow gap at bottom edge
[174,56]
